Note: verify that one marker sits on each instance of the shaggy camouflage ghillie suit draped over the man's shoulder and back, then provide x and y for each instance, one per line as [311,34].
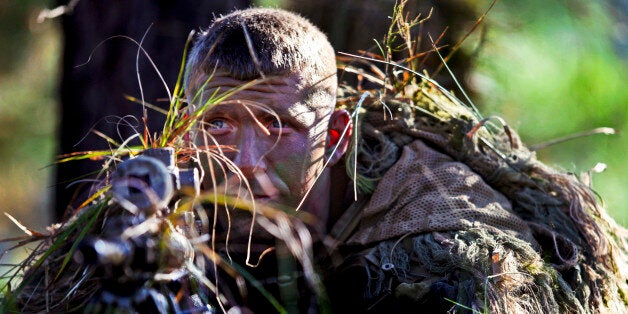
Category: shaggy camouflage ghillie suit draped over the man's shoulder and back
[456,214]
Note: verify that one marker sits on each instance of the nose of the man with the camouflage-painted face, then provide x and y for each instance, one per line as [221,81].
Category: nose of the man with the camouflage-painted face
[250,155]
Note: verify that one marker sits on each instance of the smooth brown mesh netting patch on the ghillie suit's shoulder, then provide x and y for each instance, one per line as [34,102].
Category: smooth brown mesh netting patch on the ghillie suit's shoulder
[428,191]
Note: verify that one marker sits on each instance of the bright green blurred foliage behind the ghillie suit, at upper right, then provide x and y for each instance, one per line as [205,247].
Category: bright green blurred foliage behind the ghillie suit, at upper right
[554,68]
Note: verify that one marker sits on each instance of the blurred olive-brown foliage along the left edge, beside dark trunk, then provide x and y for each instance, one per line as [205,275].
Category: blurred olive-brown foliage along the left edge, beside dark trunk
[27,115]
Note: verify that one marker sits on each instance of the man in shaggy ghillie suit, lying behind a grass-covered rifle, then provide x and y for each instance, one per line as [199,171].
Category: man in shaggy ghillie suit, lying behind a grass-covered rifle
[440,231]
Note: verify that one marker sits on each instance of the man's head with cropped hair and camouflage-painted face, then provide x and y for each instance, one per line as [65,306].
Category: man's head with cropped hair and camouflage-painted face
[285,132]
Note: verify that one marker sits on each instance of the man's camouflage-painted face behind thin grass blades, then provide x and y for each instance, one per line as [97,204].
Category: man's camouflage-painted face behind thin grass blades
[278,140]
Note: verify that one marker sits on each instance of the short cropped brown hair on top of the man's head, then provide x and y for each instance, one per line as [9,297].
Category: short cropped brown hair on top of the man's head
[282,43]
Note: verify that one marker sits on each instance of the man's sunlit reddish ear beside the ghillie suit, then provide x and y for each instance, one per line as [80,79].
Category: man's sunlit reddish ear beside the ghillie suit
[337,143]
